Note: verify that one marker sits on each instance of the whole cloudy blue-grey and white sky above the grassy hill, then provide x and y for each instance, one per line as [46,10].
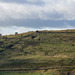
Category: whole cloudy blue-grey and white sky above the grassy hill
[30,15]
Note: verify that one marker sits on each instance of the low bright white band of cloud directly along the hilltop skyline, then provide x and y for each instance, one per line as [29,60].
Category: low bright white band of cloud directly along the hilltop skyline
[21,29]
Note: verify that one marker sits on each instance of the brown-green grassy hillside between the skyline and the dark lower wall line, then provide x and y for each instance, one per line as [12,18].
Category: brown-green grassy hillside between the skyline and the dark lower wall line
[35,50]
